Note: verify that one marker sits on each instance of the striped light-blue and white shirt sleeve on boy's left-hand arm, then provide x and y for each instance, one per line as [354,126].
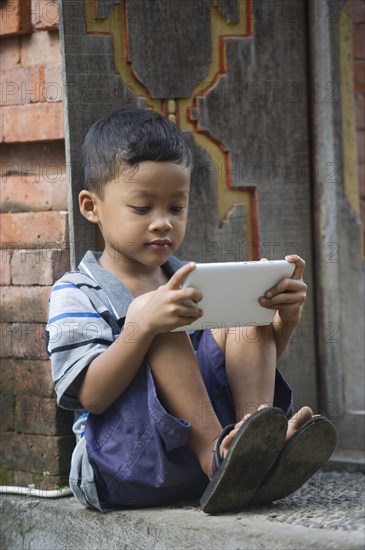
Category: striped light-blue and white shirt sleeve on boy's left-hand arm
[76,333]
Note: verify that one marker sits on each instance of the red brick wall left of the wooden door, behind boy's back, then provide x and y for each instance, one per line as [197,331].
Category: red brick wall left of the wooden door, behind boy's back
[35,436]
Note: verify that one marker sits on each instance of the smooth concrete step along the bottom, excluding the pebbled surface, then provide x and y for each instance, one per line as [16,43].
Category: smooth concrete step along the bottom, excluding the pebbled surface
[31,523]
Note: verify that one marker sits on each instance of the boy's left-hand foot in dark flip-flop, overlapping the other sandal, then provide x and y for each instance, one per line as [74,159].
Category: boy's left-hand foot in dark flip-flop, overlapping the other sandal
[249,449]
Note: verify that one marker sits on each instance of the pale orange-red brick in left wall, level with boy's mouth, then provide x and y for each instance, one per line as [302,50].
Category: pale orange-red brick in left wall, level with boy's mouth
[33,230]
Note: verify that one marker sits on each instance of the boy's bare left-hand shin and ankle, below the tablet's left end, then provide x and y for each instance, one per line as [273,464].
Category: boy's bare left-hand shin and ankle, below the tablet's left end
[182,391]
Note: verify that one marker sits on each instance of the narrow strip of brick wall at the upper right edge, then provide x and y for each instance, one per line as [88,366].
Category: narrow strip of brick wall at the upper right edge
[358,37]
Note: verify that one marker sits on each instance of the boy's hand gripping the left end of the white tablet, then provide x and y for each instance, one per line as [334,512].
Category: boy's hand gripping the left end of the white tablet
[165,309]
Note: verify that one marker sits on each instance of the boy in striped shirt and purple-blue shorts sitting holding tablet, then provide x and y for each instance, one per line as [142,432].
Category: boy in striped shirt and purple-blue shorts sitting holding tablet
[157,401]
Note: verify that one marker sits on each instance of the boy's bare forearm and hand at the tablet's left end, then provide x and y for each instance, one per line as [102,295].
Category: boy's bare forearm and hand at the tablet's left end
[159,311]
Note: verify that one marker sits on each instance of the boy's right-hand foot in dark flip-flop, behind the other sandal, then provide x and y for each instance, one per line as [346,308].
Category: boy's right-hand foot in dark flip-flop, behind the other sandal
[308,447]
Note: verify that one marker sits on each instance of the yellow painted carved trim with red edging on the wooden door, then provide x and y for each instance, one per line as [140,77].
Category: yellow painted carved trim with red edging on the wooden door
[115,25]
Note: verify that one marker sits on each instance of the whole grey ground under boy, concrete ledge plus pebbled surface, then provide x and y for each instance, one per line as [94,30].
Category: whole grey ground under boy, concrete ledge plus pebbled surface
[327,512]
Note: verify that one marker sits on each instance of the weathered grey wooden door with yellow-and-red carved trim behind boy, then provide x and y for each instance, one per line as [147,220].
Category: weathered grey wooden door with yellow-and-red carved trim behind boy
[233,75]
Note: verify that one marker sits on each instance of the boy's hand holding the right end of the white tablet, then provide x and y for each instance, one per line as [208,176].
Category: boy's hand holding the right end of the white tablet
[289,295]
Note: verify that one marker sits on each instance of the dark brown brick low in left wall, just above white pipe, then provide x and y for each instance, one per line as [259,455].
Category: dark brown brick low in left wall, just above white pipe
[36,453]
